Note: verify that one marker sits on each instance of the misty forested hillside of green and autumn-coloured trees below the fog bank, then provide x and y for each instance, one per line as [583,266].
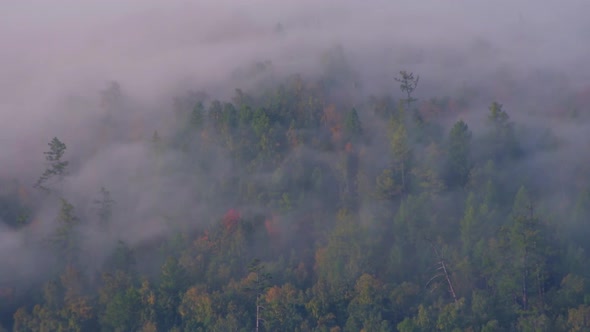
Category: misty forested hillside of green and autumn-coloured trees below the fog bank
[300,206]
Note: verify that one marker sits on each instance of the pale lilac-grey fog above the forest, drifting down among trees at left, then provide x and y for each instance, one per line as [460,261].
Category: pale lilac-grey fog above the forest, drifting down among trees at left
[57,56]
